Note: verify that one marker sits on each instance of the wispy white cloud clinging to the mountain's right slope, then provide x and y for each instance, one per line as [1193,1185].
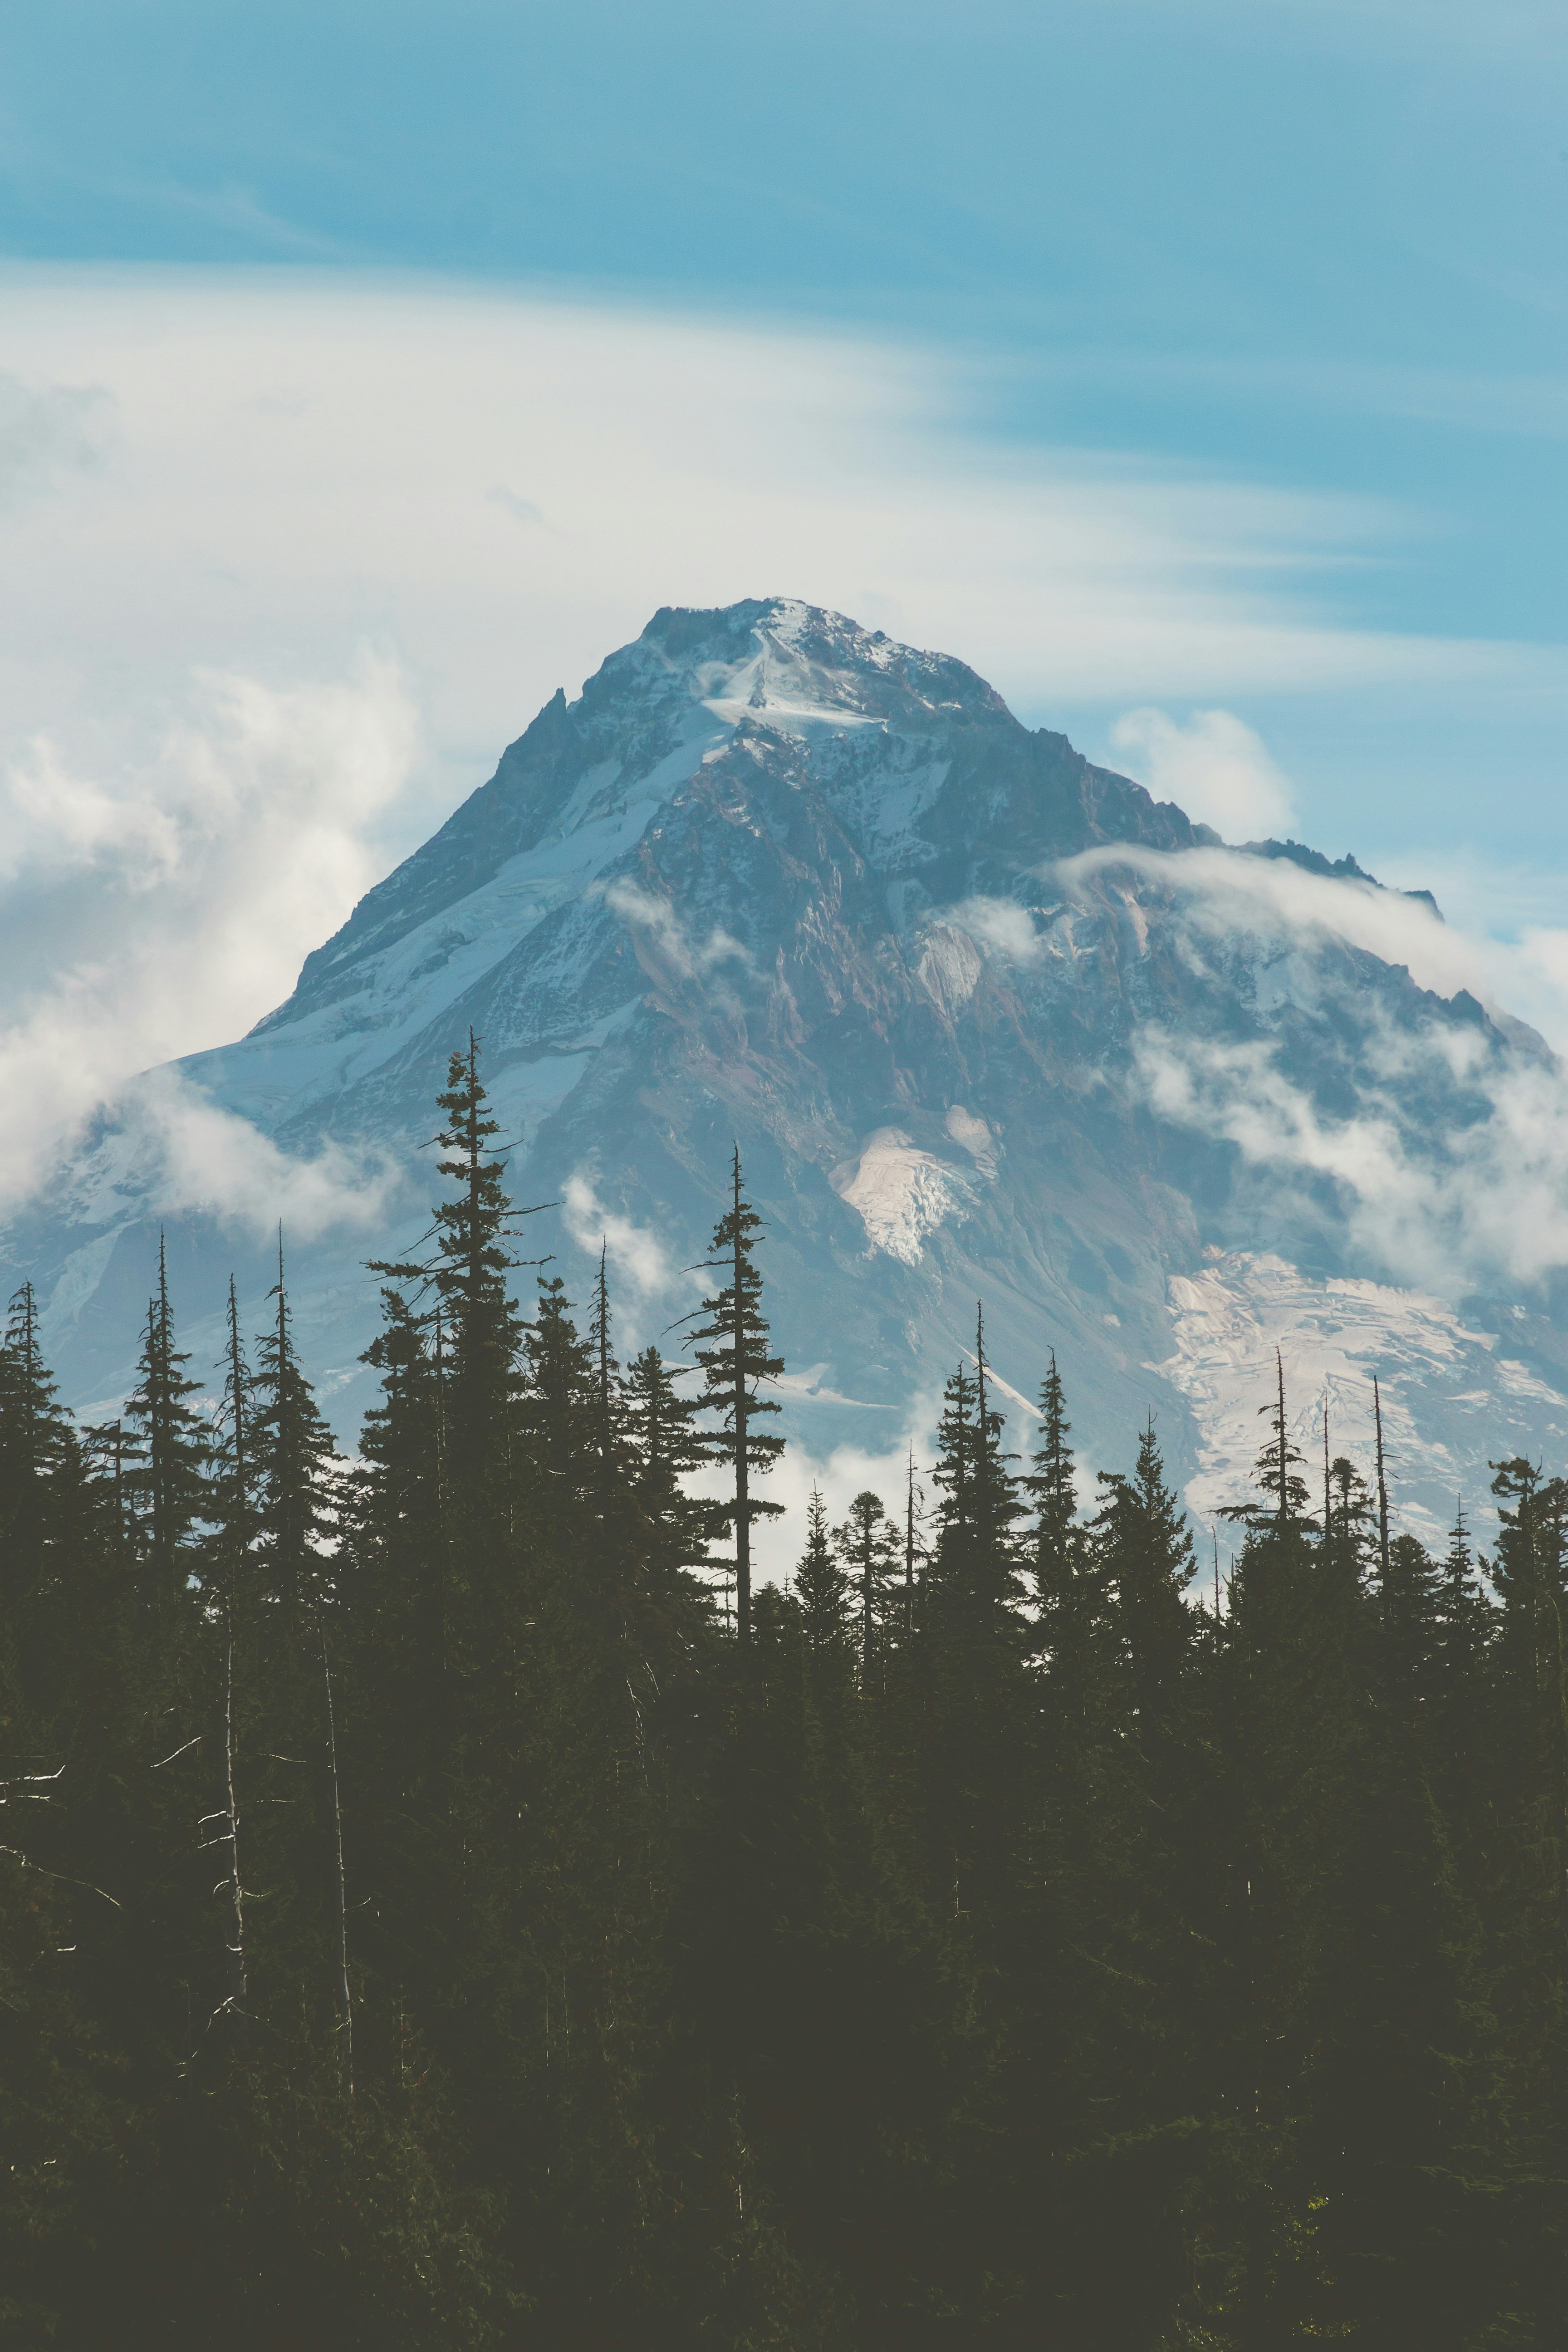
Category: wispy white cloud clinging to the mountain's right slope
[1482,1198]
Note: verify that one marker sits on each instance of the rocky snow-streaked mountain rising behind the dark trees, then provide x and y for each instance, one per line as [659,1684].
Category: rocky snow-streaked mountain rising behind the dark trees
[984,1020]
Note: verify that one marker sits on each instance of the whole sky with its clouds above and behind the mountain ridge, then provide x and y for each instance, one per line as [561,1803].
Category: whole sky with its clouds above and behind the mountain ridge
[1214,359]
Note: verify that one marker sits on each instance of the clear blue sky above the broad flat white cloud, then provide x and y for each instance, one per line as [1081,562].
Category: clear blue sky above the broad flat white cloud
[1296,243]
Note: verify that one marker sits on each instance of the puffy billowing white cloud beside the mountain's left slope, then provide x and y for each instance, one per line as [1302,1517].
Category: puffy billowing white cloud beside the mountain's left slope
[166,907]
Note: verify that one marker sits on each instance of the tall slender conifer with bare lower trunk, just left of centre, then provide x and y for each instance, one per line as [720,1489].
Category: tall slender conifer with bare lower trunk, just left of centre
[737,1365]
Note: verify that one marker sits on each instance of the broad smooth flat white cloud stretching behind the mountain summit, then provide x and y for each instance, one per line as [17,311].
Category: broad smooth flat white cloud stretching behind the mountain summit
[300,460]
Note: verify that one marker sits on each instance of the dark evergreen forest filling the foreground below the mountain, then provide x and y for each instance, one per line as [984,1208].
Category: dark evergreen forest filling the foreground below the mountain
[448,1902]
